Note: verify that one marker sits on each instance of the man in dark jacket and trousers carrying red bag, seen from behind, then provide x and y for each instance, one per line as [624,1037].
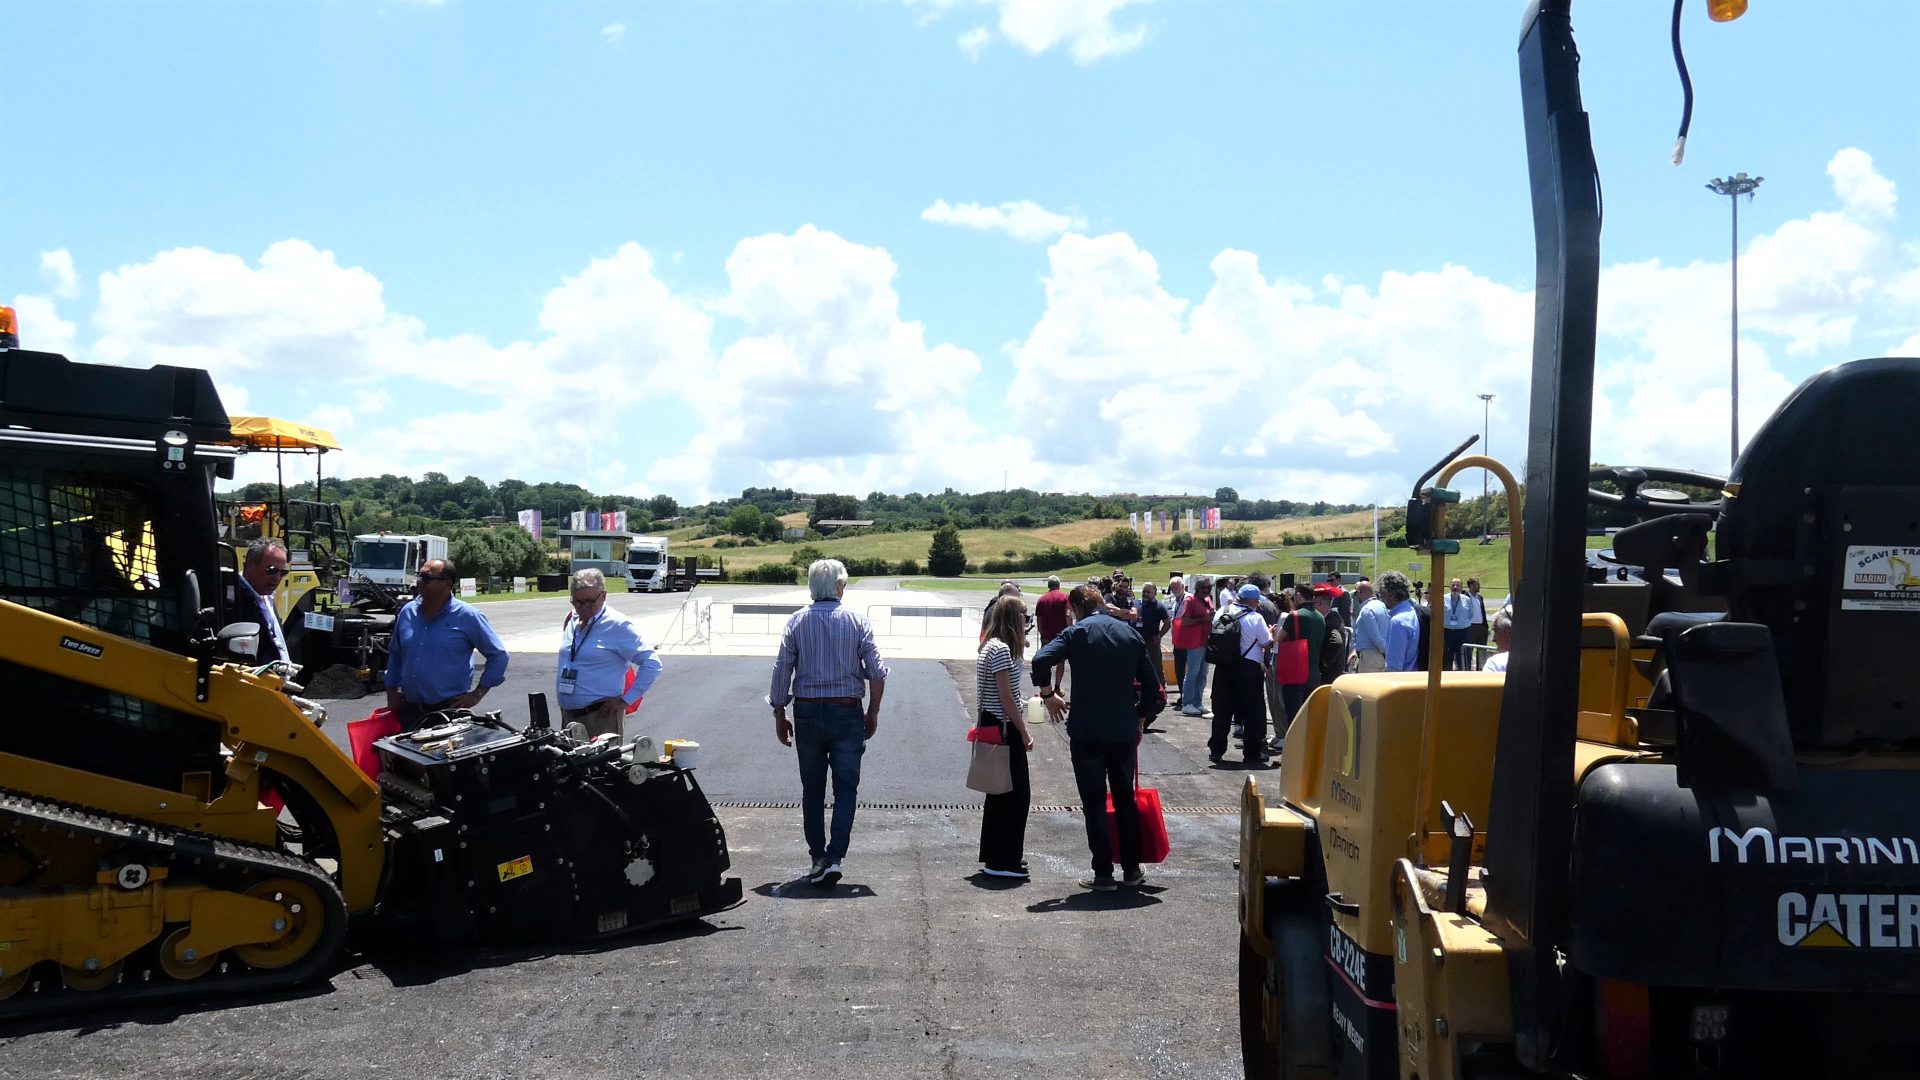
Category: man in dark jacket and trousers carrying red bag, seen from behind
[1107,662]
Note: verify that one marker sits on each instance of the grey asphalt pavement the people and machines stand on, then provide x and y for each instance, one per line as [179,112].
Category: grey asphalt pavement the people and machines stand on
[917,966]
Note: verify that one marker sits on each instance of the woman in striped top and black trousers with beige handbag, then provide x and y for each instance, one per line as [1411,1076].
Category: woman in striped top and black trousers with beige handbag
[999,691]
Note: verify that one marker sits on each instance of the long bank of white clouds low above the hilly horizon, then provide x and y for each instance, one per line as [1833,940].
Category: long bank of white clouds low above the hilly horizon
[805,372]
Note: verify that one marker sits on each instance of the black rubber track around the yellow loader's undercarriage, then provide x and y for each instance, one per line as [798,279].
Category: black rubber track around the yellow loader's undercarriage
[181,852]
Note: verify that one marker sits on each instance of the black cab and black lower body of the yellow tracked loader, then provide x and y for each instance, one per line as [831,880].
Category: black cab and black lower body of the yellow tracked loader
[107,512]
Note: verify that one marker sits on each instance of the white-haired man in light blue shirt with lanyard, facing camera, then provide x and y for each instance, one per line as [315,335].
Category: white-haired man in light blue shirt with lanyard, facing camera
[598,650]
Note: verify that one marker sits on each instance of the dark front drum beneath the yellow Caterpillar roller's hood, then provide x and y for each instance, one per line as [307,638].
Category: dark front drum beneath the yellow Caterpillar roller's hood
[1297,983]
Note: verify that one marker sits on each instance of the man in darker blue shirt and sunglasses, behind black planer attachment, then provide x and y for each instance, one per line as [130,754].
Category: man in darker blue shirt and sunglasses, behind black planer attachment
[429,664]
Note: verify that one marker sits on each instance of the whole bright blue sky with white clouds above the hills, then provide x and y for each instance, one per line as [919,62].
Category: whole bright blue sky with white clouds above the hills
[1090,245]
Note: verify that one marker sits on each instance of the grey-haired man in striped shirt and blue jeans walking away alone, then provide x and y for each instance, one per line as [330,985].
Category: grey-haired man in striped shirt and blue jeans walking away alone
[827,660]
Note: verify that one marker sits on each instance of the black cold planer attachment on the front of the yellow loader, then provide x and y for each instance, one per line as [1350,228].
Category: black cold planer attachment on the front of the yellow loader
[519,835]
